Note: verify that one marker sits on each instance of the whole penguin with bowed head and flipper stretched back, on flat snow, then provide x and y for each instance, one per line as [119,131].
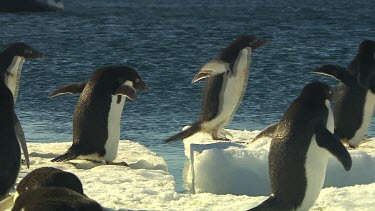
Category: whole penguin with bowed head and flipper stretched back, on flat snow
[96,122]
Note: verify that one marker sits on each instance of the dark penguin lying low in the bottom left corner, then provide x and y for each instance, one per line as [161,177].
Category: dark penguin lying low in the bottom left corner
[49,188]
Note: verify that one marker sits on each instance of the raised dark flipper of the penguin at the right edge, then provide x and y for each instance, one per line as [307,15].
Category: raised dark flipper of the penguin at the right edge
[338,73]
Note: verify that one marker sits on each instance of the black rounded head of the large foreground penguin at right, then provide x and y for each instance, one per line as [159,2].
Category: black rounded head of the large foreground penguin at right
[316,93]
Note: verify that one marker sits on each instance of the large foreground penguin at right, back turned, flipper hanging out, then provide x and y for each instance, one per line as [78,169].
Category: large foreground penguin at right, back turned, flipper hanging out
[300,150]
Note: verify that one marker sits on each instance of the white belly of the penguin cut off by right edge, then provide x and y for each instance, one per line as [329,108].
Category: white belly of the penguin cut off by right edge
[368,111]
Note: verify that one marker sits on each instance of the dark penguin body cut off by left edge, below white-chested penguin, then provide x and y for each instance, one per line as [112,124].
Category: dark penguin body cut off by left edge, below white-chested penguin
[10,151]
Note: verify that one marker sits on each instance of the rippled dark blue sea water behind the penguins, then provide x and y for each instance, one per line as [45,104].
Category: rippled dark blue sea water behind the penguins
[167,41]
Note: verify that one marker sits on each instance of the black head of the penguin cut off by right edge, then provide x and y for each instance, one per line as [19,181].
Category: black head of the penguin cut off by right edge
[366,64]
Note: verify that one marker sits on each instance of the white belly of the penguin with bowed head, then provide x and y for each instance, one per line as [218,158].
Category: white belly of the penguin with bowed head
[114,121]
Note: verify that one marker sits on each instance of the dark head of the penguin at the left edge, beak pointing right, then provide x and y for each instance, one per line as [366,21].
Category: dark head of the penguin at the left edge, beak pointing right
[24,50]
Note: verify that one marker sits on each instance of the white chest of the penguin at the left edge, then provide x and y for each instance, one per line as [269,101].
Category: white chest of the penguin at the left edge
[12,79]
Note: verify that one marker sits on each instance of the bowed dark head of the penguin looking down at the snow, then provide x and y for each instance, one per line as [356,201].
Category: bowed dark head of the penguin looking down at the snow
[123,74]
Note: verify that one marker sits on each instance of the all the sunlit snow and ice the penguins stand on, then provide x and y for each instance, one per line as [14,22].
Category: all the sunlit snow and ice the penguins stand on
[224,167]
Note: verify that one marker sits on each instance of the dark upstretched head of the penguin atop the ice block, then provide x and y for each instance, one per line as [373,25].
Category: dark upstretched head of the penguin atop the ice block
[229,54]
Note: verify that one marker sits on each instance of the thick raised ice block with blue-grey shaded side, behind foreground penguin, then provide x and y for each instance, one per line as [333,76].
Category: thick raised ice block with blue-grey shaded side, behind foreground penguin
[238,168]
